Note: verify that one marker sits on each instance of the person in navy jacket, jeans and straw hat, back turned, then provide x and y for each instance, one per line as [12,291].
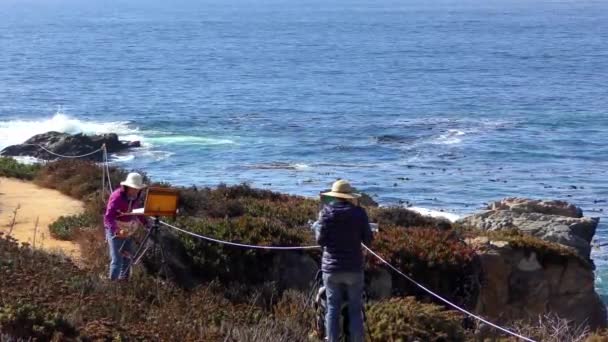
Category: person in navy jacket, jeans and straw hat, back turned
[341,228]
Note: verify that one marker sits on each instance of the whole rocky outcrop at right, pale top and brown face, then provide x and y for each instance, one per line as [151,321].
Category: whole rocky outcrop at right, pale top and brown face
[519,283]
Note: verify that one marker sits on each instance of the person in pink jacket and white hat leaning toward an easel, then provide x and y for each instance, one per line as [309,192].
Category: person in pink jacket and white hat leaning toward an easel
[118,226]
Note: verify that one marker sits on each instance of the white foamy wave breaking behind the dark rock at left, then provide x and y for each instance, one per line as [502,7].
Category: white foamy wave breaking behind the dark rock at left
[17,131]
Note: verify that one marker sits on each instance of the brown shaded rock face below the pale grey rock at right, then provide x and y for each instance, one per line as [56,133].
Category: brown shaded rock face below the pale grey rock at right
[519,285]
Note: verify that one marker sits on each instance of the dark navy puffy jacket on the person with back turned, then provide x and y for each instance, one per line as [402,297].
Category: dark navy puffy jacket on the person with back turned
[340,230]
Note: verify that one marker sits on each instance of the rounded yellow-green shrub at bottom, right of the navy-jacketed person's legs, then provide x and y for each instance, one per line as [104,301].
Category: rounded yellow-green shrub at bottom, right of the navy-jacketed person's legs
[405,319]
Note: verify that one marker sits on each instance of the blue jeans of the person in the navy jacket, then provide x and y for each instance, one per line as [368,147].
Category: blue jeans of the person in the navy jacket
[340,288]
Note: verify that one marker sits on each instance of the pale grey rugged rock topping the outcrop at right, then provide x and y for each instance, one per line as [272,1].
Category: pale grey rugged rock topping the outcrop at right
[554,221]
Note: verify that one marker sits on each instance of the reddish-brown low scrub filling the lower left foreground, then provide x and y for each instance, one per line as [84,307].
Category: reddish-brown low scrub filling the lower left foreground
[142,309]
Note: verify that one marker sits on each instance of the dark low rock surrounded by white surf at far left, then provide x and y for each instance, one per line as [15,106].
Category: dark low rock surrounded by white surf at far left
[68,145]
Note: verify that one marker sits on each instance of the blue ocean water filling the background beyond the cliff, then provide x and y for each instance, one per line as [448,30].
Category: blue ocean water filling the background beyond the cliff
[444,105]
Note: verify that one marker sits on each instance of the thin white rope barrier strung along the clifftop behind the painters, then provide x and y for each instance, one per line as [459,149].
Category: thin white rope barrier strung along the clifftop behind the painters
[106,172]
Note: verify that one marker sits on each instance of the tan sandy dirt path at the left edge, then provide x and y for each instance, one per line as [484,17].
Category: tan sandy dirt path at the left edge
[35,202]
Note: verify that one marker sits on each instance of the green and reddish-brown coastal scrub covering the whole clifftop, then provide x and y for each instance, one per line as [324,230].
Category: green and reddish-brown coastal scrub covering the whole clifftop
[47,296]
